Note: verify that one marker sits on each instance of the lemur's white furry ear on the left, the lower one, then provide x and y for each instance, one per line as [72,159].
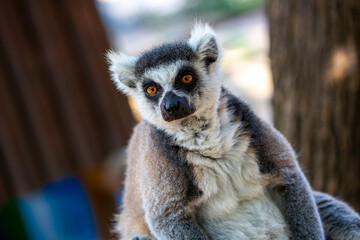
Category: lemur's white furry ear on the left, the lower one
[122,69]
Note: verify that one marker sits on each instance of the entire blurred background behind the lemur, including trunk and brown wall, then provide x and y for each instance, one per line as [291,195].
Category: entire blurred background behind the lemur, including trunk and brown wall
[63,126]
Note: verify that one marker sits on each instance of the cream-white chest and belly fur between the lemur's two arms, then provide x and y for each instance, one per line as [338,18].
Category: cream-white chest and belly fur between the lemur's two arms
[235,203]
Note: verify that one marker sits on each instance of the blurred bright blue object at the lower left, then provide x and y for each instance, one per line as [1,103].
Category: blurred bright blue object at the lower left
[60,211]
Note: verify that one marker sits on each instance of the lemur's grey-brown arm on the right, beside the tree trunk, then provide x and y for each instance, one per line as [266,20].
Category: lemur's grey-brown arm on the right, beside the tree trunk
[289,186]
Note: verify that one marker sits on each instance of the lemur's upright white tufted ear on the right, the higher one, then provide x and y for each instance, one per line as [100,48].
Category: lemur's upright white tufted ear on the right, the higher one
[204,43]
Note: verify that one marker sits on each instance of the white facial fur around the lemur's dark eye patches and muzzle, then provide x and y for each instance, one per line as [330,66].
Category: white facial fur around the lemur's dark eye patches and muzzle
[164,75]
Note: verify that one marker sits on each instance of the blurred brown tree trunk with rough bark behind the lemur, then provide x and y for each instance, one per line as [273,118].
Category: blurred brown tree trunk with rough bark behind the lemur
[315,60]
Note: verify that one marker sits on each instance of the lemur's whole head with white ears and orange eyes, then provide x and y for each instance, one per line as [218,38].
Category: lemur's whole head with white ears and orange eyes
[173,81]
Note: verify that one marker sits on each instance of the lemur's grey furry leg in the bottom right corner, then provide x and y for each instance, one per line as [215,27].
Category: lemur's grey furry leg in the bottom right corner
[339,220]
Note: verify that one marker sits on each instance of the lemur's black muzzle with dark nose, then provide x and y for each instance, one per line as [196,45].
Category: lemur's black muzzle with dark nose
[174,107]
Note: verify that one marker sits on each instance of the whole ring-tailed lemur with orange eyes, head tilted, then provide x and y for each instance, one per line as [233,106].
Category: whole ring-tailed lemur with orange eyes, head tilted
[202,165]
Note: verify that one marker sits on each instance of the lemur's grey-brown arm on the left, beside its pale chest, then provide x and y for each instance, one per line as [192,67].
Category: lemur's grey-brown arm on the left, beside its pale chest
[167,191]
